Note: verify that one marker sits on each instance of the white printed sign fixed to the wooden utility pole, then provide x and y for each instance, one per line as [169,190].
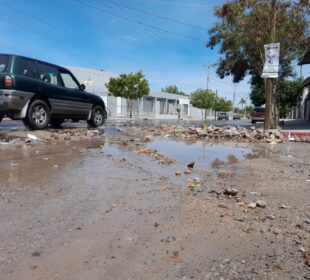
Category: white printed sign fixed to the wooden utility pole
[271,66]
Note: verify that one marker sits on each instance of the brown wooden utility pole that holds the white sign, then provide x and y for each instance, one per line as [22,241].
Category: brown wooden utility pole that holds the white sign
[269,82]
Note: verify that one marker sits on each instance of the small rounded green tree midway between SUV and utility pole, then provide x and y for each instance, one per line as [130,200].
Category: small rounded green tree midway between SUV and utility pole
[203,99]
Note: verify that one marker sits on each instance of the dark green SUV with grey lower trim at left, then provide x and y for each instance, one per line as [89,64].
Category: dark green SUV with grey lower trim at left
[40,93]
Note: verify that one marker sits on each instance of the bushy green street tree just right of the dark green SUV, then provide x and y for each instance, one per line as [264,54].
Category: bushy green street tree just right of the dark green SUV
[129,86]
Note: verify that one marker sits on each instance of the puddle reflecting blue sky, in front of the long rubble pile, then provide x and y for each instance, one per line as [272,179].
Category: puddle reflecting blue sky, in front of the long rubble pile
[205,155]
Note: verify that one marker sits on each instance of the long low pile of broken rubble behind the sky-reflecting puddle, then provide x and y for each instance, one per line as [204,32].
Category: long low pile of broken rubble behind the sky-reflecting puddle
[238,134]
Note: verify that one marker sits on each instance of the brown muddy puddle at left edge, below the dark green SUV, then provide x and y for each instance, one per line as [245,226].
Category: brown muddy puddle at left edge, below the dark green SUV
[26,165]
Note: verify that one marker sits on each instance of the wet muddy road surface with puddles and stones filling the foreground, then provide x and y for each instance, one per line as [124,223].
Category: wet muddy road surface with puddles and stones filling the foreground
[122,206]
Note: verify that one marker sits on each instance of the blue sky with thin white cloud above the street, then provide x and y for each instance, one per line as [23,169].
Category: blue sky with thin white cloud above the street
[112,35]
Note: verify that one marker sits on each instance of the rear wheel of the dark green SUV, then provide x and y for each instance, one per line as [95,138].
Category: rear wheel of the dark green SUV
[38,115]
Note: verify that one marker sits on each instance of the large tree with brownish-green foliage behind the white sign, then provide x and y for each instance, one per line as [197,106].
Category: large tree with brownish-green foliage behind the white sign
[244,27]
